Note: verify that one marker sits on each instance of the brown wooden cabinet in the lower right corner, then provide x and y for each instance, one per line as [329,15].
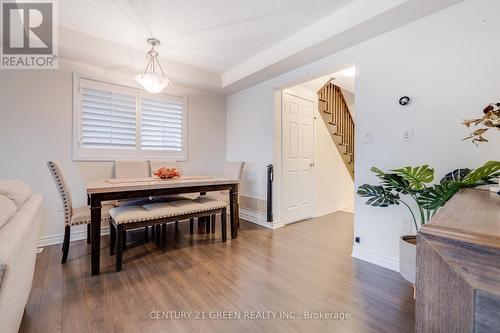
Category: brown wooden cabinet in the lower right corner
[458,266]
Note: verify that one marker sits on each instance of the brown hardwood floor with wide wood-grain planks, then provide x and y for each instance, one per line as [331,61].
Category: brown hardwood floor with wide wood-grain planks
[303,267]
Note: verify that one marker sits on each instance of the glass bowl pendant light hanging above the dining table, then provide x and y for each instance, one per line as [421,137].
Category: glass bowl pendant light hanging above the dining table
[153,79]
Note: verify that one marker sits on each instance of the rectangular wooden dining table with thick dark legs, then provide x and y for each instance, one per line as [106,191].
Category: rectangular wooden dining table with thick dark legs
[122,189]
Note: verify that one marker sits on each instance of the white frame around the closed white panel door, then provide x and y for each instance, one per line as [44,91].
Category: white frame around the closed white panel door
[311,97]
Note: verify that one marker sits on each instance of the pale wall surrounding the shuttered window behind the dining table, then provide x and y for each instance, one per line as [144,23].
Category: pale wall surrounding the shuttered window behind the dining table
[36,126]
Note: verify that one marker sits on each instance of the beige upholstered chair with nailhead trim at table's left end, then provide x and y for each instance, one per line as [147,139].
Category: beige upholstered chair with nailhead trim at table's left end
[72,215]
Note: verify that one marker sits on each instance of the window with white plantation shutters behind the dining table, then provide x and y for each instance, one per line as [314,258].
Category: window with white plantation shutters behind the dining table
[113,122]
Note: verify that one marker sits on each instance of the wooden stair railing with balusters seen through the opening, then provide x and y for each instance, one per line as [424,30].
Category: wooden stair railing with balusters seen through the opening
[338,121]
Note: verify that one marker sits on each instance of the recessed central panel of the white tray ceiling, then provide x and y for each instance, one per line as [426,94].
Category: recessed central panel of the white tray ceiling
[211,34]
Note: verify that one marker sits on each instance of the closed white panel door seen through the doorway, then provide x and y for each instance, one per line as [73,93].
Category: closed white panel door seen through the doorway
[298,125]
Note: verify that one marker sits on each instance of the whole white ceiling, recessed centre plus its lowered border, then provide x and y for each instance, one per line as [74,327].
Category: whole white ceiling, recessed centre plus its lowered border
[225,45]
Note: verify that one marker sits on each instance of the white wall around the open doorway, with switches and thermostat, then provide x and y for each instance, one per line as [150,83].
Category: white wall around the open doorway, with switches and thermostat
[447,62]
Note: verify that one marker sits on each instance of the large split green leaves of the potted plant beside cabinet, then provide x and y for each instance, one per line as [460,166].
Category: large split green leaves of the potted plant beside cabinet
[415,183]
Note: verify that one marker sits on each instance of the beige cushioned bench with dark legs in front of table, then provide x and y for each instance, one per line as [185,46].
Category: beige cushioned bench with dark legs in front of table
[157,213]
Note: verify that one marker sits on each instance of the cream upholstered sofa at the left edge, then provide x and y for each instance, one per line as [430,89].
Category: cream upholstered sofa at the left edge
[20,216]
